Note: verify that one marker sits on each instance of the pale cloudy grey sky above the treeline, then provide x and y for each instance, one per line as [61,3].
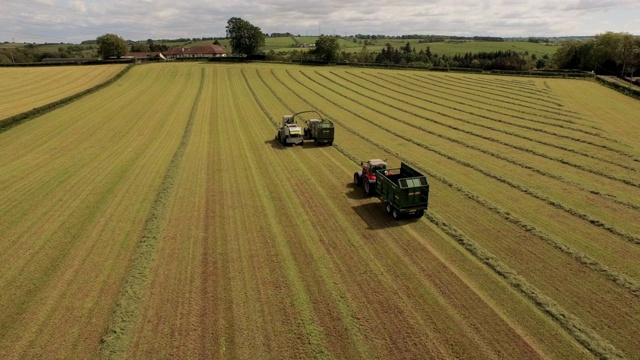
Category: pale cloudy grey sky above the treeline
[73,21]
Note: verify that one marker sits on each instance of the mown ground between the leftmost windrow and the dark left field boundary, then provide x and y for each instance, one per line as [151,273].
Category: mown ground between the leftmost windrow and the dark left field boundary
[78,187]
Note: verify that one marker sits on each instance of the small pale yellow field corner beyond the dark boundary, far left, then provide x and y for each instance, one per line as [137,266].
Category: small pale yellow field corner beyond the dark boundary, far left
[23,89]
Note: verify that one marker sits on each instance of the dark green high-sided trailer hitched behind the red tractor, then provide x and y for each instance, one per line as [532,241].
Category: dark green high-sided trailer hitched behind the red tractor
[405,191]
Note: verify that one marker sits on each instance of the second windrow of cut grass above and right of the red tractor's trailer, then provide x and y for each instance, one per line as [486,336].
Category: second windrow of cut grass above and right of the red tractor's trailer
[613,229]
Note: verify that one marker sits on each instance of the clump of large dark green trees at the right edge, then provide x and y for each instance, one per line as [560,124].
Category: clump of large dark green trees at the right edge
[609,53]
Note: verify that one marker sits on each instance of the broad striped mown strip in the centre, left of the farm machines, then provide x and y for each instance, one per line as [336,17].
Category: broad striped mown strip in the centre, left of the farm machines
[300,244]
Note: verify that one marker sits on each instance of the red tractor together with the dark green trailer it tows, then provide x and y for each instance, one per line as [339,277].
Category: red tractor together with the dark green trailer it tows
[404,190]
